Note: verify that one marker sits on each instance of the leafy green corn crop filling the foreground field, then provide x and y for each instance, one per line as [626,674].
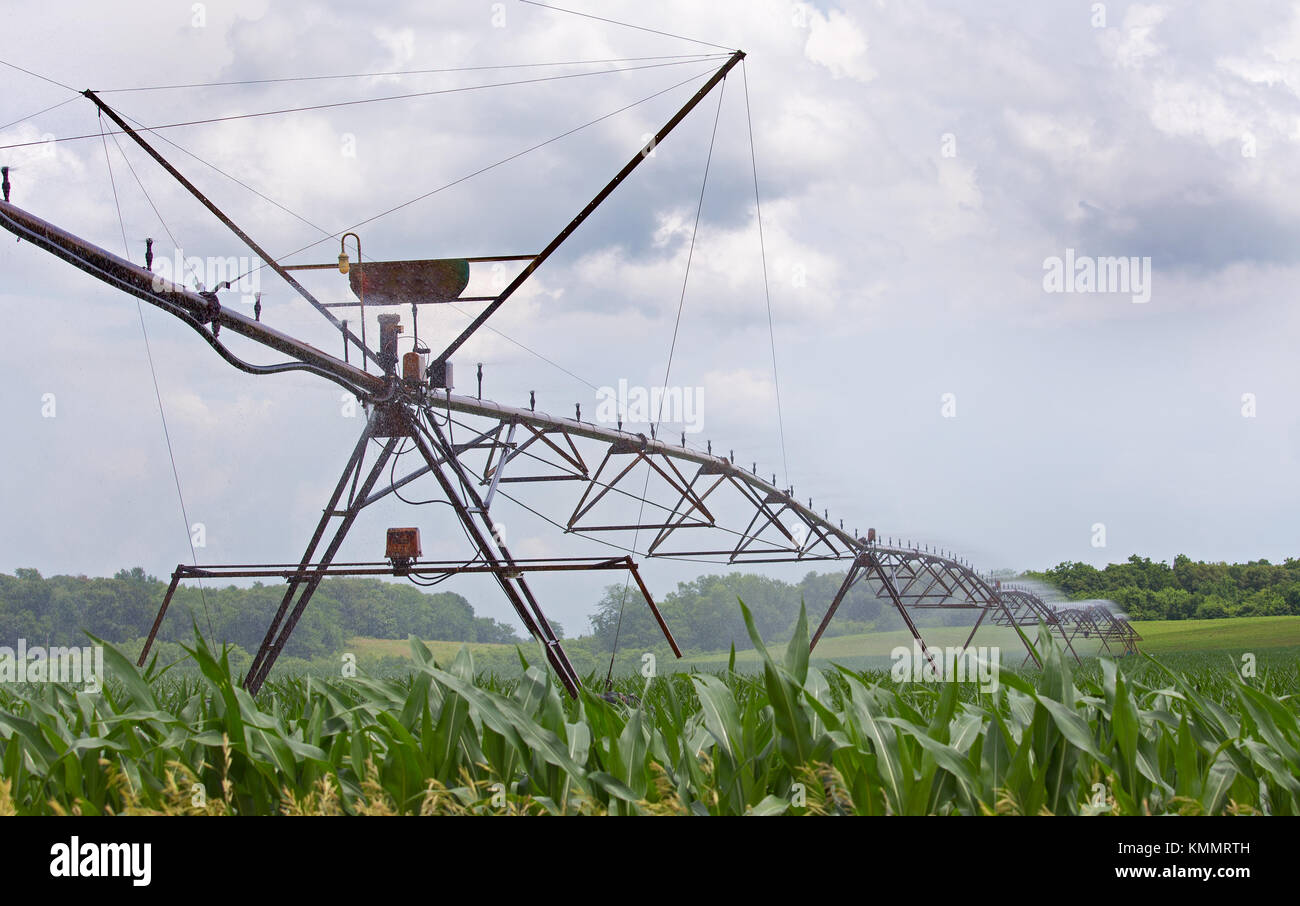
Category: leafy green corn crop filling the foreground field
[791,740]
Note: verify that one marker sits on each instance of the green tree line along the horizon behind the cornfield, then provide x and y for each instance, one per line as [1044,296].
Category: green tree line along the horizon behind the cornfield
[703,614]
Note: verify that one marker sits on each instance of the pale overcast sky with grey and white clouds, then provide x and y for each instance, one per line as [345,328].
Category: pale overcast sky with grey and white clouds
[921,167]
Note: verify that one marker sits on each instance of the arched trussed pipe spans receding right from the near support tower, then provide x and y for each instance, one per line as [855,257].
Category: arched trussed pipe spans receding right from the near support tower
[684,504]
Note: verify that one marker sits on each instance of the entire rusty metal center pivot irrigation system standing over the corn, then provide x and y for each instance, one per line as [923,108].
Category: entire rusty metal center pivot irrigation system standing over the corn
[691,505]
